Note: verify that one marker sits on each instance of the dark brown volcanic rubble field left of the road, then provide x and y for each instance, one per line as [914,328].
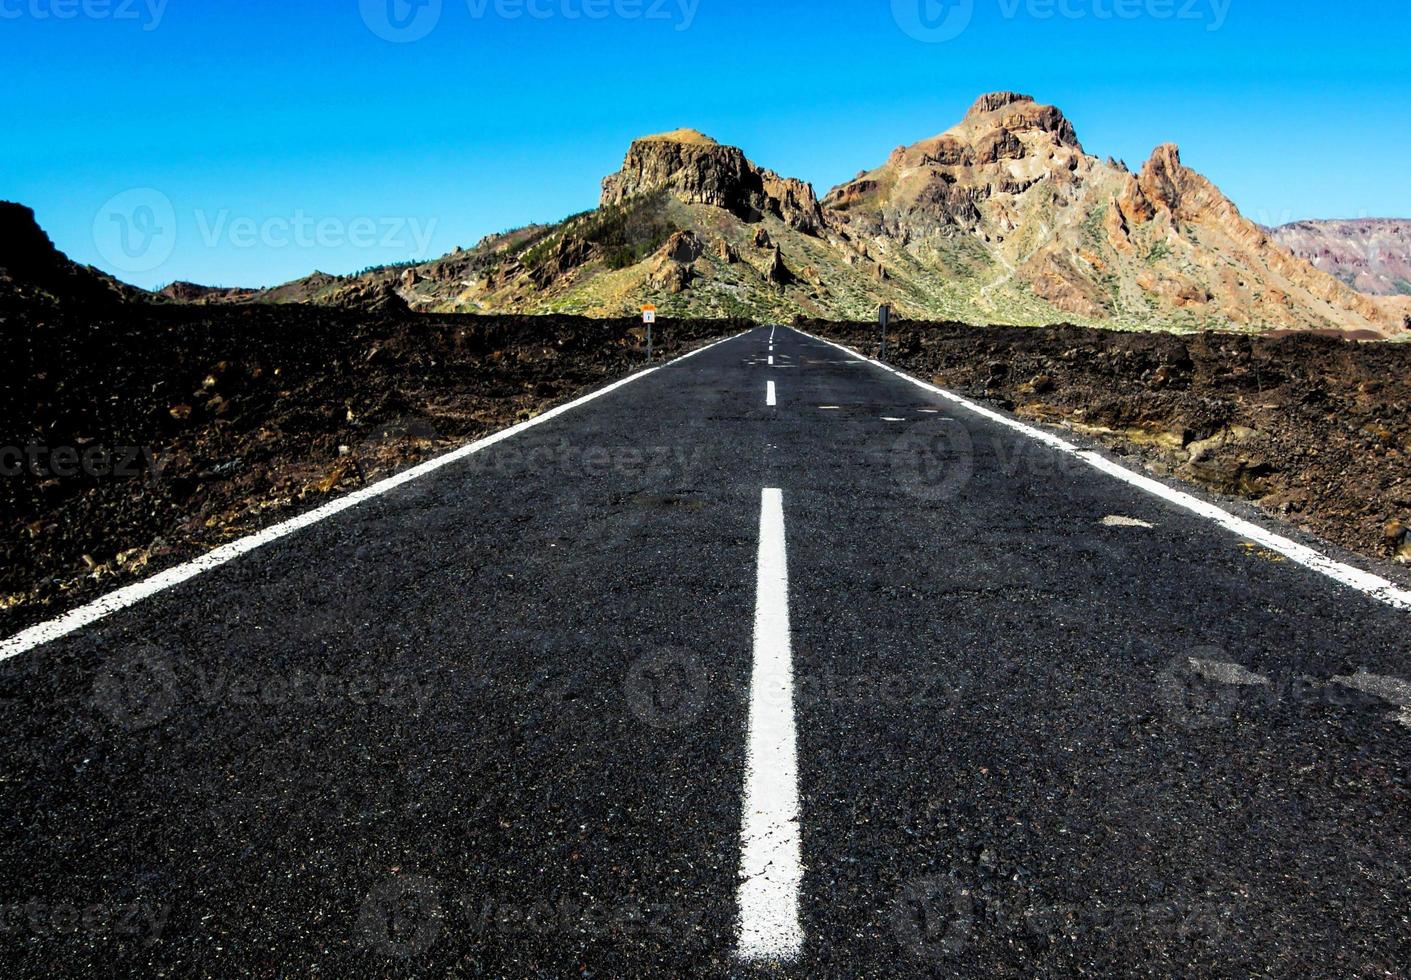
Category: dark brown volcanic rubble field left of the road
[145,435]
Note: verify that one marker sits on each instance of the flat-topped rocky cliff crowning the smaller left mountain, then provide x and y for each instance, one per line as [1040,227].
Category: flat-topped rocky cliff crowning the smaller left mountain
[699,171]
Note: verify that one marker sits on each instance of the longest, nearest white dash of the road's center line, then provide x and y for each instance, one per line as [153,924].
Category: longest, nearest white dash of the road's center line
[771,852]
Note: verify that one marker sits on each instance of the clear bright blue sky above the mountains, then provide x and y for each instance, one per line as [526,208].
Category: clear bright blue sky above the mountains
[246,116]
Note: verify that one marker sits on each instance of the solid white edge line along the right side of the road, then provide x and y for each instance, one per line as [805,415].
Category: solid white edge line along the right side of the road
[1364,582]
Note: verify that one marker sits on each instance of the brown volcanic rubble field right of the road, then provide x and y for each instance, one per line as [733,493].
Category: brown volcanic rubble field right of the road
[1314,429]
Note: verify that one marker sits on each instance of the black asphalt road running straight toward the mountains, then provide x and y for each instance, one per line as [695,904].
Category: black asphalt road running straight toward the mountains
[500,721]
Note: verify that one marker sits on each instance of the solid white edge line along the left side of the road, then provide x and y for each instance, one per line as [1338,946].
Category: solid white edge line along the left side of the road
[133,594]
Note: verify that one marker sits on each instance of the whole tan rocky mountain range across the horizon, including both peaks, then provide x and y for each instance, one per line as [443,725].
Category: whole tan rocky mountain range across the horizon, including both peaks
[1004,218]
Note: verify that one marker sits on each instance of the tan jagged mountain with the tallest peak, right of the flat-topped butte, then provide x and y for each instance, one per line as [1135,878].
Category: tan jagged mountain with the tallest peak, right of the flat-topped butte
[1011,201]
